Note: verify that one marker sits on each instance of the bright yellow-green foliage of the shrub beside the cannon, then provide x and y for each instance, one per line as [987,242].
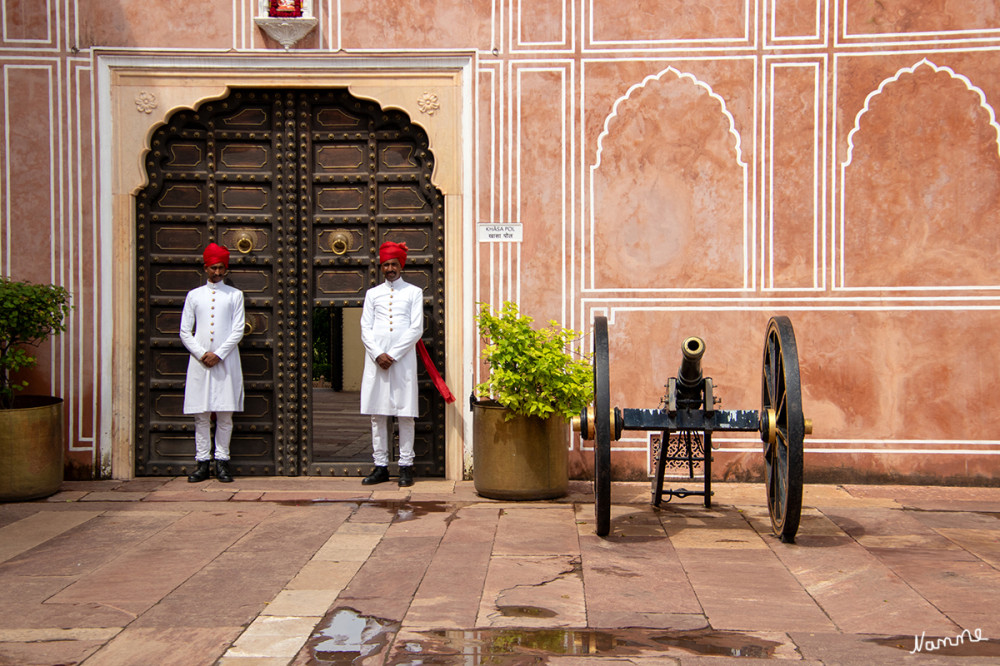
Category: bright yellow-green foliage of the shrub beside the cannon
[532,373]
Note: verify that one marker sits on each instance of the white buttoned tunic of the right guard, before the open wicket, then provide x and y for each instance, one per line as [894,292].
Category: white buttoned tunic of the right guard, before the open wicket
[392,322]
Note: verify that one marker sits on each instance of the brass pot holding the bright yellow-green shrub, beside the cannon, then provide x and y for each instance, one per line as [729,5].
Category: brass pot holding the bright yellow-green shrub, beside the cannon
[525,458]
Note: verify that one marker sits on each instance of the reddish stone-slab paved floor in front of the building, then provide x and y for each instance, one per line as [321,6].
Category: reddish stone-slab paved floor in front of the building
[325,571]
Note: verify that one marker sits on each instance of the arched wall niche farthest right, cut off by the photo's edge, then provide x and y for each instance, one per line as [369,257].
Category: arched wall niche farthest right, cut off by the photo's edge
[920,186]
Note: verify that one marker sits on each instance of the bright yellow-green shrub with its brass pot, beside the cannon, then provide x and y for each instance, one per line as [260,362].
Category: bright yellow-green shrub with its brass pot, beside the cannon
[536,384]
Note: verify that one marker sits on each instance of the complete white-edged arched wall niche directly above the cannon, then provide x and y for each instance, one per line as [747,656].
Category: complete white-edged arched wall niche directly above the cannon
[668,190]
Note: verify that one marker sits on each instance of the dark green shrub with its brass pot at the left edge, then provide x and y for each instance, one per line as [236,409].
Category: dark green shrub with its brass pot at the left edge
[31,427]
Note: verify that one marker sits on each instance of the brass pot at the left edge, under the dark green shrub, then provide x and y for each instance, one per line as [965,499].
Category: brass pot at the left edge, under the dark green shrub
[31,448]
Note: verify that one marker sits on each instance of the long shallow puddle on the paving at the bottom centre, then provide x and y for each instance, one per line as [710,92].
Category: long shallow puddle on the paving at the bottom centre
[526,646]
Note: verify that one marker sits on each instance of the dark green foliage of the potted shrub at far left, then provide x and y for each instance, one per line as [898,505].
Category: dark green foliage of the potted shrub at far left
[29,314]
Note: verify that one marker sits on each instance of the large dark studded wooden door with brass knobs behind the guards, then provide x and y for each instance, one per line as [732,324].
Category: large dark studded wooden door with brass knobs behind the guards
[302,186]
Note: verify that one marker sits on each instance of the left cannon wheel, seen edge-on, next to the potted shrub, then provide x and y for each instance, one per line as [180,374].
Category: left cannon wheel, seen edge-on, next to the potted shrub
[602,429]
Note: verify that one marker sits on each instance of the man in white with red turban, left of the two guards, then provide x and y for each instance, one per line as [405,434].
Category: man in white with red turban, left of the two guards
[211,327]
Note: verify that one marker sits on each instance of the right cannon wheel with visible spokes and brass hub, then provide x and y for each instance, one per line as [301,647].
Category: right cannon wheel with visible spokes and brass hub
[782,428]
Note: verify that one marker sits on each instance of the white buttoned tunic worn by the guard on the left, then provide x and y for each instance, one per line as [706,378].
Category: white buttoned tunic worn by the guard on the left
[213,321]
